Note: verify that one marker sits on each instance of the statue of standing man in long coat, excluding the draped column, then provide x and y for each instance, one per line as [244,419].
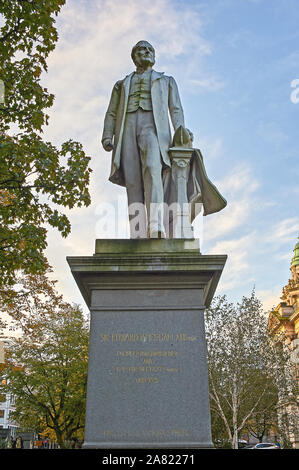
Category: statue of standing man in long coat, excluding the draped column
[137,130]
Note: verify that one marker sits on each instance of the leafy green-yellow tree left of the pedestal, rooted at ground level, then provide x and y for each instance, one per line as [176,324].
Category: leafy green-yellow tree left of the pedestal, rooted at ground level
[46,366]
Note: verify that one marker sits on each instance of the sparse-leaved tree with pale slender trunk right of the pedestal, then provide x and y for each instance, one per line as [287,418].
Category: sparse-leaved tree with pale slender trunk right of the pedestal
[246,371]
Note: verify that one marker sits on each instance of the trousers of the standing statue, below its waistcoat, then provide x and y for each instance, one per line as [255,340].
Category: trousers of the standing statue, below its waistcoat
[142,168]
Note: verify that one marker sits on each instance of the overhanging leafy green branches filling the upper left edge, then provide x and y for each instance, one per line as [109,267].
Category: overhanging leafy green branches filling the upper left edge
[36,178]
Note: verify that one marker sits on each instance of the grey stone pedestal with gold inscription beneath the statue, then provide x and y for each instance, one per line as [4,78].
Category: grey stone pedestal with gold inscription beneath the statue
[147,376]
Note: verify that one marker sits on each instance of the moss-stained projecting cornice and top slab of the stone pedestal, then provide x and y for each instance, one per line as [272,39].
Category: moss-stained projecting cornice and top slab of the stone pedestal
[128,264]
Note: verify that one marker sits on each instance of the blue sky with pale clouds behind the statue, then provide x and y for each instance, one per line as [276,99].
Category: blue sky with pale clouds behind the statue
[236,63]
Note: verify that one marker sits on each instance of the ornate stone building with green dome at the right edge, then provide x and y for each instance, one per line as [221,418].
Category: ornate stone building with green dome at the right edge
[284,323]
